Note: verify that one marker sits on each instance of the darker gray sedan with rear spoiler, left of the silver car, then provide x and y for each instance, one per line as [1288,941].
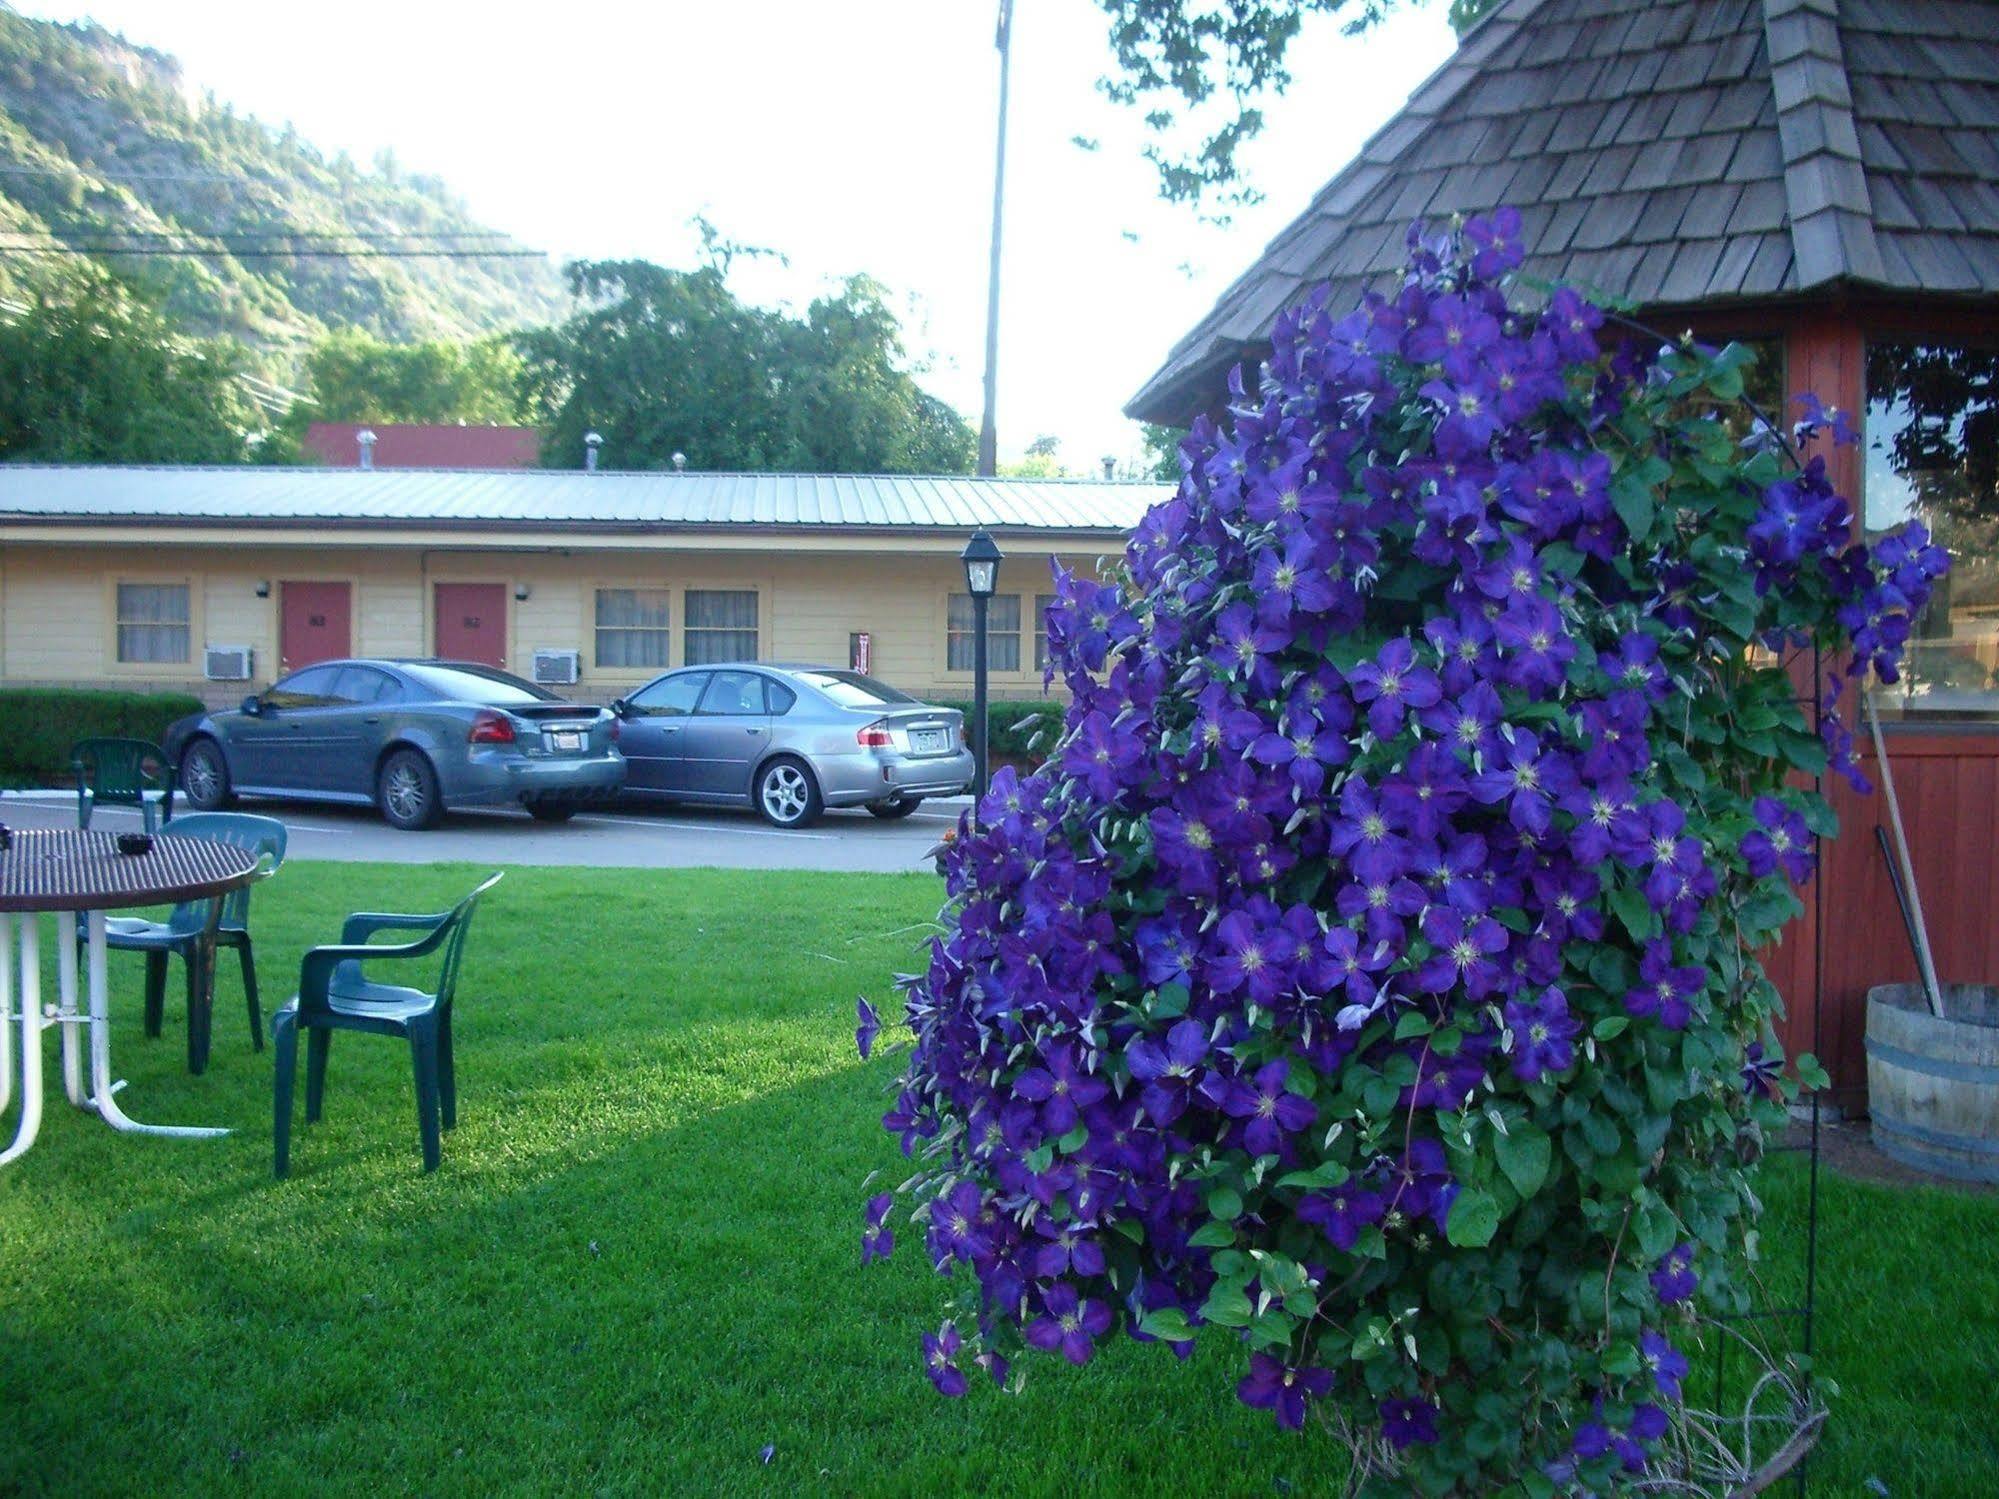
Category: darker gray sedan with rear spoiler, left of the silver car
[411,737]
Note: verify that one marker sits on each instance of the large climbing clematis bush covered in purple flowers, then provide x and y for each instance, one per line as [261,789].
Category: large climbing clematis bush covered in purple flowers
[1372,970]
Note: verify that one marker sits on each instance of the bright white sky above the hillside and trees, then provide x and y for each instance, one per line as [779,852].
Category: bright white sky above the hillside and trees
[851,135]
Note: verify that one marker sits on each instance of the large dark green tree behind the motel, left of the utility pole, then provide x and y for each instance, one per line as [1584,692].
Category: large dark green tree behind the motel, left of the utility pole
[671,361]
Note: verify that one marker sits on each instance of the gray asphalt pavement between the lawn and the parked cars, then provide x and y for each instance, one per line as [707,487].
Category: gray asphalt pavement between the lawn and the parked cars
[619,836]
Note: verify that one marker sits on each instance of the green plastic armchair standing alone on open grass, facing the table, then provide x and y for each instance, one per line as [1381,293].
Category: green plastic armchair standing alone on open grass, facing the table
[335,994]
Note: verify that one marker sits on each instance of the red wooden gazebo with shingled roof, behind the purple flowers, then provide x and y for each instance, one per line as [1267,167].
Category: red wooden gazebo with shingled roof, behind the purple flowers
[1812,177]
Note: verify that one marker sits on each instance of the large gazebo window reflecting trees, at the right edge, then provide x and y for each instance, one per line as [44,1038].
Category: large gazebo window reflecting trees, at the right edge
[1932,451]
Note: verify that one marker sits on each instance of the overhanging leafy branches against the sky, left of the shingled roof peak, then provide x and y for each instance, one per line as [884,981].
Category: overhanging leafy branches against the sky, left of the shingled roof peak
[1230,51]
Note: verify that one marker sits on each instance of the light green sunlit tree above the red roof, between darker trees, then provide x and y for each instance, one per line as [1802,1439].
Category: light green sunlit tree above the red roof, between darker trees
[355,377]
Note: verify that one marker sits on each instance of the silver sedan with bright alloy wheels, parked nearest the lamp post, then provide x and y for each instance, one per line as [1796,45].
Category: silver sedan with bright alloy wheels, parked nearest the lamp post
[789,741]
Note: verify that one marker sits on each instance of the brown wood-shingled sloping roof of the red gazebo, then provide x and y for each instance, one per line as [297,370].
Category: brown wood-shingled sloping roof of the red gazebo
[1668,153]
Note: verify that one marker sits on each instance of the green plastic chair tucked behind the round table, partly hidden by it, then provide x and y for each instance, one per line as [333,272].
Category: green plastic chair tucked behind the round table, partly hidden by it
[197,930]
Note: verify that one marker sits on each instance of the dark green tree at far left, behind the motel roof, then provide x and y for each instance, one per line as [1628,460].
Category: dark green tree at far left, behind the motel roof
[93,373]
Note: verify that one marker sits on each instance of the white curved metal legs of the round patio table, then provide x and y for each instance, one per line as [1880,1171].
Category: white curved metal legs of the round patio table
[101,1098]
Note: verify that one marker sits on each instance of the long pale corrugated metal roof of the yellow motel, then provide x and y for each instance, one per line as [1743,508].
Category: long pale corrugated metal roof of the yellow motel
[561,501]
